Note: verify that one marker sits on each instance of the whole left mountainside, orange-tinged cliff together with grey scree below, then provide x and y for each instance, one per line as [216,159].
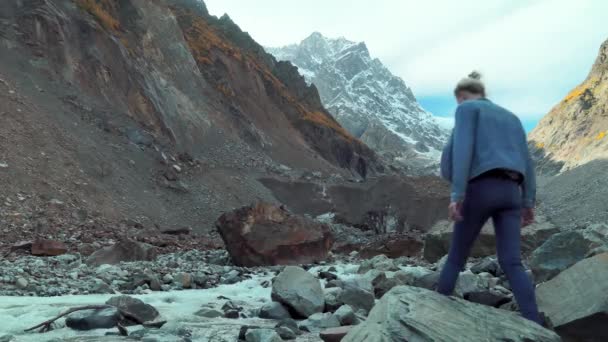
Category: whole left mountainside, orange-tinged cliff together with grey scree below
[154,109]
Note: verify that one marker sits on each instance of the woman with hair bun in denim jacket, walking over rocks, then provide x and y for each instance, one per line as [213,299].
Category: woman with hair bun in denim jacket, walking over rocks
[492,175]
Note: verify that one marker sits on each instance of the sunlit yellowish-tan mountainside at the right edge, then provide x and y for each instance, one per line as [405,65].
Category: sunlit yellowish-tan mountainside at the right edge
[575,132]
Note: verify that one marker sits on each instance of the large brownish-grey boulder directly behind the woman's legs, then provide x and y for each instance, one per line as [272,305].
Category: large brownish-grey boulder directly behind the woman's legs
[437,240]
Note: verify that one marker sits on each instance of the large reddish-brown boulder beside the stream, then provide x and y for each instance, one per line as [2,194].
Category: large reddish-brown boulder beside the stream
[264,234]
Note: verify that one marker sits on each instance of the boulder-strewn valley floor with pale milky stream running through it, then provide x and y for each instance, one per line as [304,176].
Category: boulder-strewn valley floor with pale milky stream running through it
[204,295]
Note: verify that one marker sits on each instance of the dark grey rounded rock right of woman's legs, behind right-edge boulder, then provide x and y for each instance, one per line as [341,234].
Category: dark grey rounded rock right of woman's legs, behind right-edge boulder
[558,253]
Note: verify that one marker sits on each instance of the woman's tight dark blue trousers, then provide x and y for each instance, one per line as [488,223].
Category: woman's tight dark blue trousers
[499,199]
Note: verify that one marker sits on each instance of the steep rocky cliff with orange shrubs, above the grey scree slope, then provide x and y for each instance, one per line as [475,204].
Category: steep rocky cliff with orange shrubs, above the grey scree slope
[184,75]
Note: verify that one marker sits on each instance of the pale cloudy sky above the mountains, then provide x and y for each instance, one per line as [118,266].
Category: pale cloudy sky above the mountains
[531,52]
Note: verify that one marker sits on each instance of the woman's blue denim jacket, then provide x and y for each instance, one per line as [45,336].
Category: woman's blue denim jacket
[485,137]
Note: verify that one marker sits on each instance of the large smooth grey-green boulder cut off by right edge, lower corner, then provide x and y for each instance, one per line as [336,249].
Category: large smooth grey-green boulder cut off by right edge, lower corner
[576,300]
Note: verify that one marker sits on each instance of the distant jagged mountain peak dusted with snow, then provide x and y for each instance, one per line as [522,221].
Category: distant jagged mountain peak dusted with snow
[366,98]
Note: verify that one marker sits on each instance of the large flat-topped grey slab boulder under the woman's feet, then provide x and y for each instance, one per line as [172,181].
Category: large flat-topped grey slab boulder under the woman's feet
[414,314]
